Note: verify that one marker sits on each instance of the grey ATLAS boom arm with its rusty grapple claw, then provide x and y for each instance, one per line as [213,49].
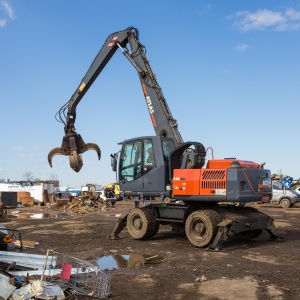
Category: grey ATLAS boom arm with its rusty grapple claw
[163,122]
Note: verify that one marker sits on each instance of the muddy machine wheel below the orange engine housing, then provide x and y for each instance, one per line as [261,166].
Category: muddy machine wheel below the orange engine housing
[201,227]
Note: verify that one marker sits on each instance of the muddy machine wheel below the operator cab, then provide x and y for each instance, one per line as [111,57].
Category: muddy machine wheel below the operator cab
[141,223]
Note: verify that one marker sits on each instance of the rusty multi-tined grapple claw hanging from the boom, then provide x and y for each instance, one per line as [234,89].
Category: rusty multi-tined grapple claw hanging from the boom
[73,146]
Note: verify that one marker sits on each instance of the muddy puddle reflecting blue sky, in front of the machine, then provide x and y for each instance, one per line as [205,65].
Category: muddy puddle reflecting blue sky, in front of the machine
[128,261]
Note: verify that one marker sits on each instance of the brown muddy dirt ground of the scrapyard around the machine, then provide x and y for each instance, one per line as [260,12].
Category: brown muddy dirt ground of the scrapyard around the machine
[253,269]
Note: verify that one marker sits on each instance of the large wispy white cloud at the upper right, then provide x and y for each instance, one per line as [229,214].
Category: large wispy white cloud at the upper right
[264,18]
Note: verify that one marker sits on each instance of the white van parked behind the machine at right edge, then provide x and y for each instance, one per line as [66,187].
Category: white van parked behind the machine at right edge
[283,195]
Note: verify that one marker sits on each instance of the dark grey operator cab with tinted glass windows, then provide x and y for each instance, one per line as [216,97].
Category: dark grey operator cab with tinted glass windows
[144,162]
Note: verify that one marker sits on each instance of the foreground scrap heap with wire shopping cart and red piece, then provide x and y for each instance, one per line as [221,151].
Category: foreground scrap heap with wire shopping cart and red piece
[59,276]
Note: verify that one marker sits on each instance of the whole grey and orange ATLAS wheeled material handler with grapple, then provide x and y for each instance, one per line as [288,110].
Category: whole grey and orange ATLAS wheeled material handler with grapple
[195,195]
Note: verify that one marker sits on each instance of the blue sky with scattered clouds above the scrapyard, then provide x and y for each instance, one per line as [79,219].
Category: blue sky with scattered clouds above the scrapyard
[229,70]
